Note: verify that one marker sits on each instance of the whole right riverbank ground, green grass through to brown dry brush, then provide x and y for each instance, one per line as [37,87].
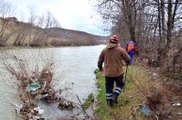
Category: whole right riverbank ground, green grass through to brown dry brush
[145,98]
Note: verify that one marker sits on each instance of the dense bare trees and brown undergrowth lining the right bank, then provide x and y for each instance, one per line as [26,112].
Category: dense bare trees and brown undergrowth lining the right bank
[155,25]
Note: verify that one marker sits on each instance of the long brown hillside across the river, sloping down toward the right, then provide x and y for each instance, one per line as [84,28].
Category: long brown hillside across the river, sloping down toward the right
[16,33]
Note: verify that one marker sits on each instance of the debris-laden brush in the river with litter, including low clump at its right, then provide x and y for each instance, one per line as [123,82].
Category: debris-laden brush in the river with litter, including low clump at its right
[34,85]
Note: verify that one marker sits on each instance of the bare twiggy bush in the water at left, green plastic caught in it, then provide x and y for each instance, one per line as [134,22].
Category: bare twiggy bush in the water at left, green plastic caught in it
[26,76]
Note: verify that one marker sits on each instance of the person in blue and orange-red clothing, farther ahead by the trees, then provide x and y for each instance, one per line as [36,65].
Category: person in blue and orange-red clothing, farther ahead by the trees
[131,48]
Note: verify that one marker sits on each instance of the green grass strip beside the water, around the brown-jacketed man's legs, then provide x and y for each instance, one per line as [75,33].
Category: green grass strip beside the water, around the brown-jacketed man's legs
[126,100]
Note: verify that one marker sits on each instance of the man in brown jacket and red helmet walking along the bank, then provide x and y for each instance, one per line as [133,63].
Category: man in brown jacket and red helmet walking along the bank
[112,57]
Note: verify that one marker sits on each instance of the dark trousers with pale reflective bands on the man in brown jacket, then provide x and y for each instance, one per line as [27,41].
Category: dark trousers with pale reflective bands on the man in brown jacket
[109,85]
